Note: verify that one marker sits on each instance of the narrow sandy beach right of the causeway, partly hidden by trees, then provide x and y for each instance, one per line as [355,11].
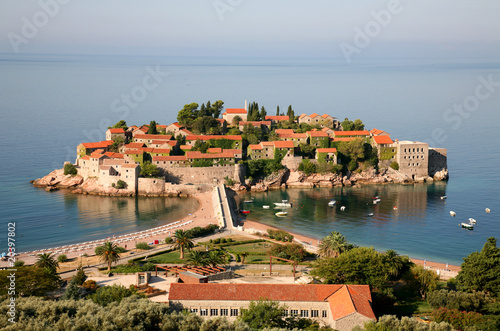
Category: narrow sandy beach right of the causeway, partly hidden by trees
[445,271]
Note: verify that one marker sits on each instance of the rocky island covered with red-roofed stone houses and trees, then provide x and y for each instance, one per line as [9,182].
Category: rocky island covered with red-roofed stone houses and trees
[246,149]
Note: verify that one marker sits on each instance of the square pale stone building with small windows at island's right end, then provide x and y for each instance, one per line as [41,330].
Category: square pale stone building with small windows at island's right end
[413,158]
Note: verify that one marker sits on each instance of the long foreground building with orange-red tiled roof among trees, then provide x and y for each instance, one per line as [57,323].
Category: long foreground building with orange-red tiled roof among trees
[340,307]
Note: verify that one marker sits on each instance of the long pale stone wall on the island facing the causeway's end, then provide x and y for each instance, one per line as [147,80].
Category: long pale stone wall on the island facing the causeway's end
[203,175]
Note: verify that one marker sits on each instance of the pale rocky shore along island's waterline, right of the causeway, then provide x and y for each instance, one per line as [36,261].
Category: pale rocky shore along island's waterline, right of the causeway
[297,179]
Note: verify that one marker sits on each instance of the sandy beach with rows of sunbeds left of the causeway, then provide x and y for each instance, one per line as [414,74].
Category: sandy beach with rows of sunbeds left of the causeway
[203,216]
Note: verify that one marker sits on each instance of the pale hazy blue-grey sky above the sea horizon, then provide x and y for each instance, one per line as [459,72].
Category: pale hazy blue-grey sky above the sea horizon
[252,28]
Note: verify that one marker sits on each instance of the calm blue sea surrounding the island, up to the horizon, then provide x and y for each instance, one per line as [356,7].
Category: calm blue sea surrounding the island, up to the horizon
[50,103]
